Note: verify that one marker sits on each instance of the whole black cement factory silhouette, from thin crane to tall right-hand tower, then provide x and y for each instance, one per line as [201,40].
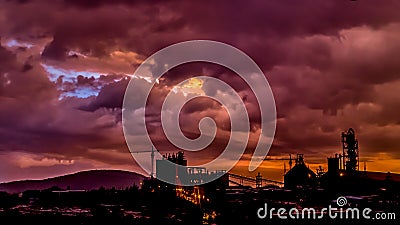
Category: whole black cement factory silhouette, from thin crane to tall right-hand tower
[343,172]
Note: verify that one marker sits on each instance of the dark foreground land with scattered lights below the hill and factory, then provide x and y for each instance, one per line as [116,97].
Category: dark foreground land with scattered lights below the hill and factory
[163,206]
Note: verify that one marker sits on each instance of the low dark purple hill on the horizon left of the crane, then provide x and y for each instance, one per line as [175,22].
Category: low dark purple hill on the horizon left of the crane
[84,180]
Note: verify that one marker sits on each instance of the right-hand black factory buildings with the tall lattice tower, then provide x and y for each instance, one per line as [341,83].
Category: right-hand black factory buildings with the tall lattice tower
[343,173]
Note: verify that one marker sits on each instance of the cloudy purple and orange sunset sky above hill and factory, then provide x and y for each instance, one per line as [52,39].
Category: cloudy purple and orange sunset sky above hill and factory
[65,65]
